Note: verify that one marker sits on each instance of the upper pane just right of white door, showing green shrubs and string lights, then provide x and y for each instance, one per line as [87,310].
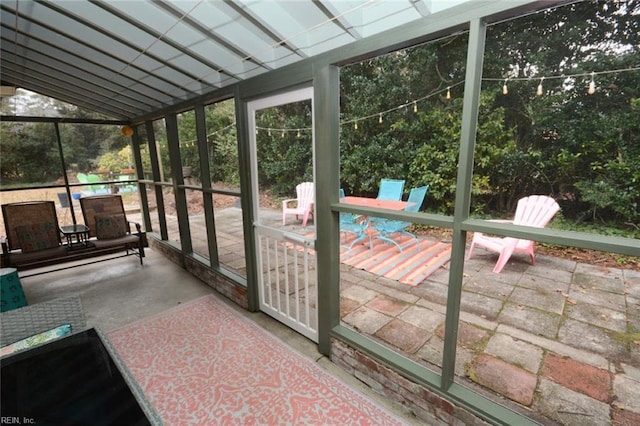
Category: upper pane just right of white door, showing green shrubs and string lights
[400,120]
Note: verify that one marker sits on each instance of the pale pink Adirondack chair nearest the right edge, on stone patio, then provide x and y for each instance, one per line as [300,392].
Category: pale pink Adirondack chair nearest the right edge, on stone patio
[535,210]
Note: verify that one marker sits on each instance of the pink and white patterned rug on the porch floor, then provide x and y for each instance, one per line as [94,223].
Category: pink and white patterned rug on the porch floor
[202,363]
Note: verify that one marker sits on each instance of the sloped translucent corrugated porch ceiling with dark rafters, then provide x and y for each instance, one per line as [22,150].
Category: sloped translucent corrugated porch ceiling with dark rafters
[127,58]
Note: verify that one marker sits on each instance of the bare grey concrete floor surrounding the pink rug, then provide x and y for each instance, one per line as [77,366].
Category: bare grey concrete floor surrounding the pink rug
[118,292]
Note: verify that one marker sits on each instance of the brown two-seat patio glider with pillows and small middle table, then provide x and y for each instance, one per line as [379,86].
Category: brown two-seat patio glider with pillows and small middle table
[33,234]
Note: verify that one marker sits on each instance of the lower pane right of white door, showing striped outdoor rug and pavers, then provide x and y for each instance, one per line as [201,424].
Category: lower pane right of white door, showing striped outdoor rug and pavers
[393,286]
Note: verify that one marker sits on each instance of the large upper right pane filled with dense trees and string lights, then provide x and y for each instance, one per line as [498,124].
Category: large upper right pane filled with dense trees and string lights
[558,117]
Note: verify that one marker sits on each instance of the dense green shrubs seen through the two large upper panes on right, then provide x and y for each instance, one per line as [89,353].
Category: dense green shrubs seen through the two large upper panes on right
[581,148]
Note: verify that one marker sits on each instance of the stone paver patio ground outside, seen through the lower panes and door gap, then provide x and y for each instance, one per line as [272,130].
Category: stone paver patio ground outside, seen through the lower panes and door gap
[558,339]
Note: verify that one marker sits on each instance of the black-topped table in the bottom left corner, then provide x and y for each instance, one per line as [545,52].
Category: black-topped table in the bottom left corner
[74,380]
